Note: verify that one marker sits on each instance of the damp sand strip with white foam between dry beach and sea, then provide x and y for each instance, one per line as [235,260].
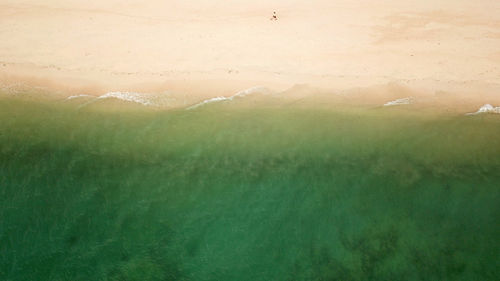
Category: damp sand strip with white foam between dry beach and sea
[186,94]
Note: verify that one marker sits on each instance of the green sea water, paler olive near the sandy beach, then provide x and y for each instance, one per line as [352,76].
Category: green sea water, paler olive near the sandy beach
[247,193]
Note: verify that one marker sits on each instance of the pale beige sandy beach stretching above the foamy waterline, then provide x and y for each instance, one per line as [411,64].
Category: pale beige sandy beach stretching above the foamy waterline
[208,48]
